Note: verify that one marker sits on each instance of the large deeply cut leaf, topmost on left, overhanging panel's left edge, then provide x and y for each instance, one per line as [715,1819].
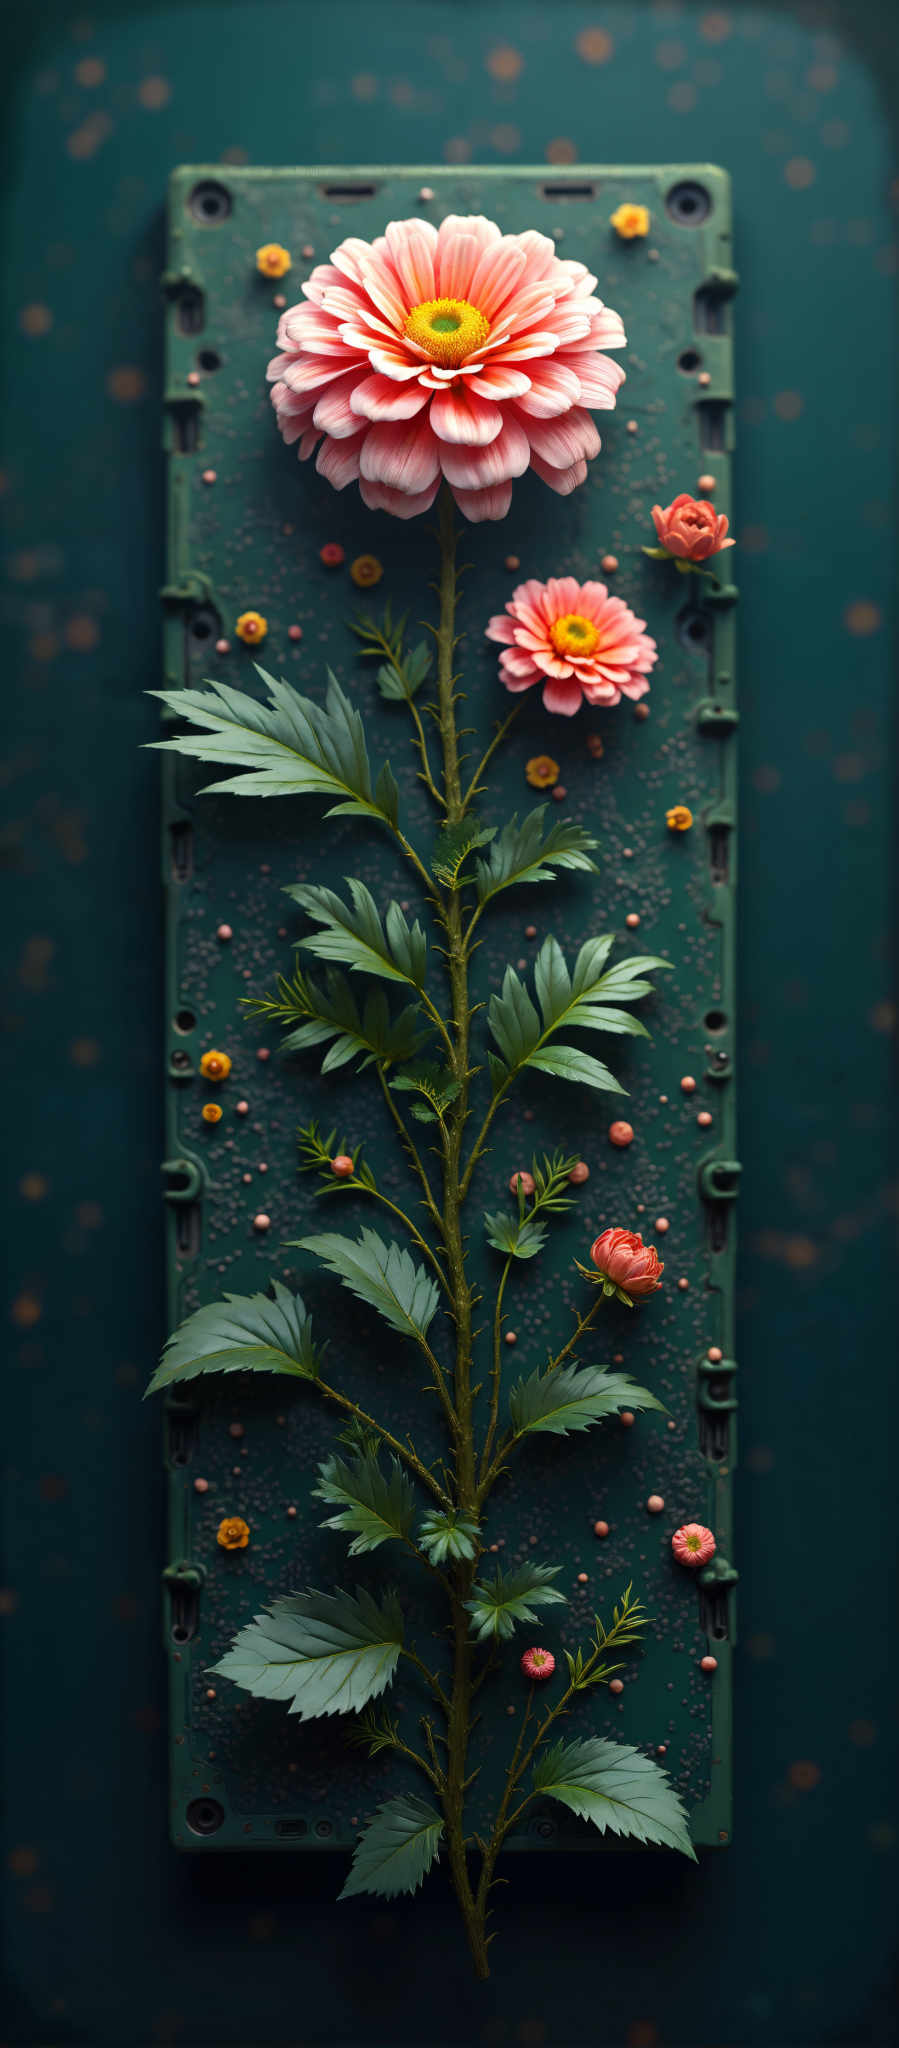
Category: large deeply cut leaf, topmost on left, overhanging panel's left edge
[288,749]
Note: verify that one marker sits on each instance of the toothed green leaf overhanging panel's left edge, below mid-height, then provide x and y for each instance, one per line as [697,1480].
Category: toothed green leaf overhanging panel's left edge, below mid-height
[241,1334]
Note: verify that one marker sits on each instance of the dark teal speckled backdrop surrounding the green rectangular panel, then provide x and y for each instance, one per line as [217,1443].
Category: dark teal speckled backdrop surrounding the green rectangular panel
[785,1938]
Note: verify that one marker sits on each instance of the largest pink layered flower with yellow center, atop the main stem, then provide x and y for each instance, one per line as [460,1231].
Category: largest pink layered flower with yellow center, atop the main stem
[449,353]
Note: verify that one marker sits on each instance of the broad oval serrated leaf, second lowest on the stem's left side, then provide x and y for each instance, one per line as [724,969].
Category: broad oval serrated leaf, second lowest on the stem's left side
[325,1654]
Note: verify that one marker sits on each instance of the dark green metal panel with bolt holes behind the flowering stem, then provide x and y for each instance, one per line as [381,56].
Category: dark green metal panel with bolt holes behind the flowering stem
[251,540]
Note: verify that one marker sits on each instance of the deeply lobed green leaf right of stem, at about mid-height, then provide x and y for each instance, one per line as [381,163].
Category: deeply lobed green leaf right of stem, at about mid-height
[568,1000]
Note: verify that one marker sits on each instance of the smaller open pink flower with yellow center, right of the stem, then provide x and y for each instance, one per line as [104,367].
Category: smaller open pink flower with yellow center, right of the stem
[576,640]
